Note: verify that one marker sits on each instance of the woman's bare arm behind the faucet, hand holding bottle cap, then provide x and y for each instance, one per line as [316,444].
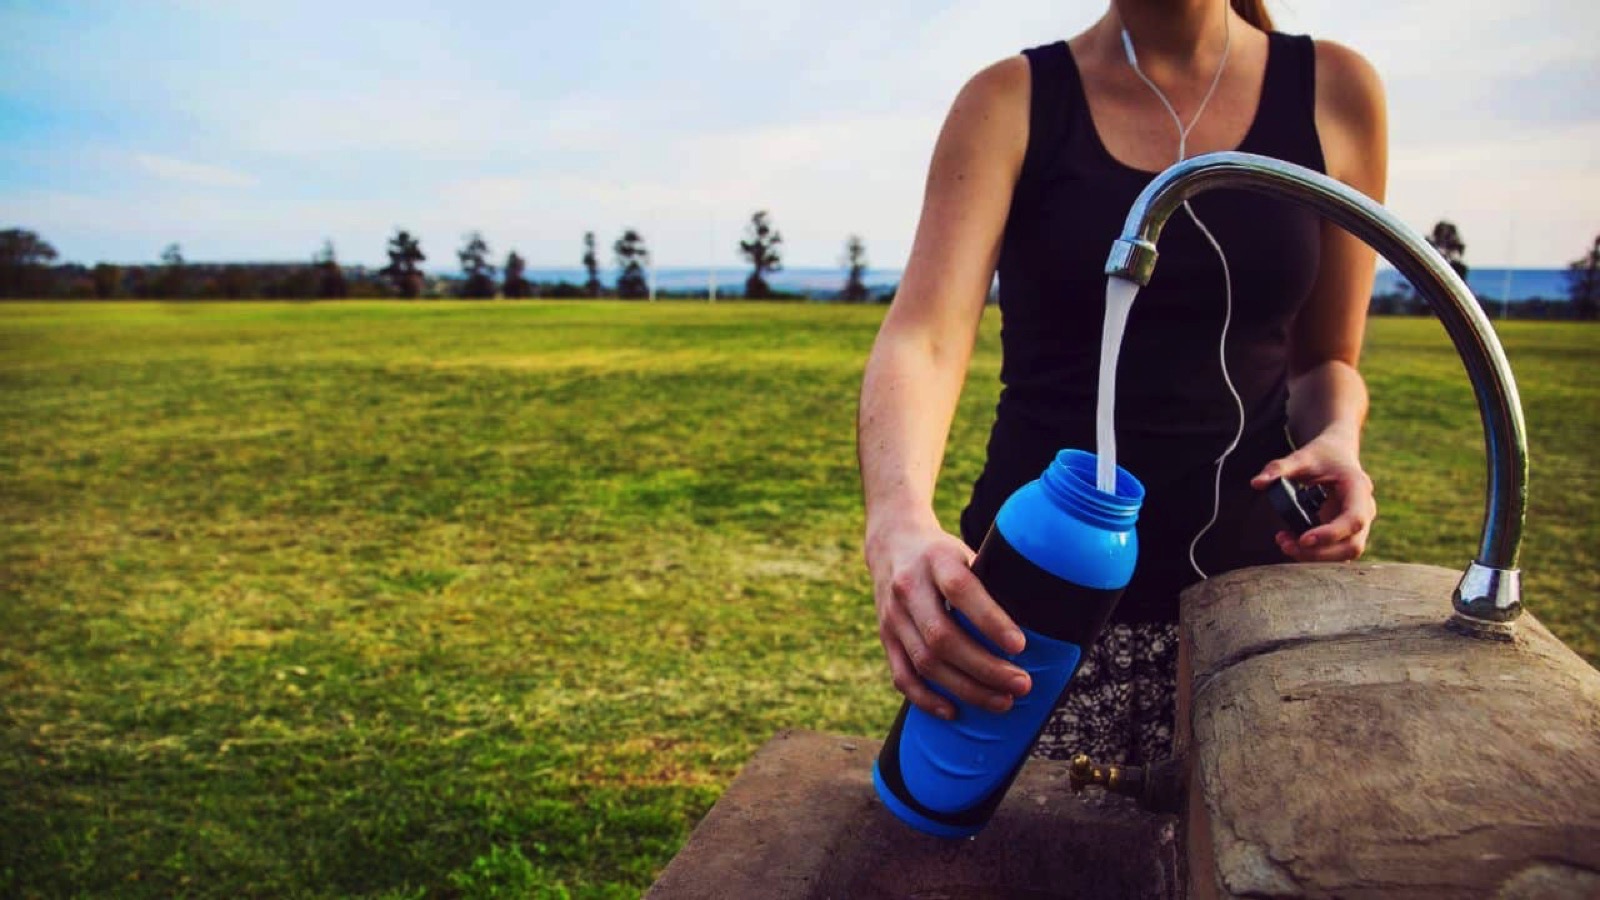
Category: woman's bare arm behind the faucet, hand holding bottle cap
[1327,395]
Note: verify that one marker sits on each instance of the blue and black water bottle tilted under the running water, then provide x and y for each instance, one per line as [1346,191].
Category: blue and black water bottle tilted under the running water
[1057,560]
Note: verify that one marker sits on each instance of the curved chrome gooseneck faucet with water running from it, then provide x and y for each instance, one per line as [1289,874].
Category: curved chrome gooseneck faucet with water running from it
[1490,592]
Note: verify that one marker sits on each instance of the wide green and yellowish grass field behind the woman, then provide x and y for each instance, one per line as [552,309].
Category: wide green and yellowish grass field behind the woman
[494,600]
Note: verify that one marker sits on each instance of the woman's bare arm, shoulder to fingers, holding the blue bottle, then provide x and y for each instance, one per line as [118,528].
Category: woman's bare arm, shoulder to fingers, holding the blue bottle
[910,395]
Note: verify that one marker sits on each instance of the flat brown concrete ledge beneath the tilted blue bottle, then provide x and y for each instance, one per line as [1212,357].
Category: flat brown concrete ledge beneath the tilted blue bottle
[802,822]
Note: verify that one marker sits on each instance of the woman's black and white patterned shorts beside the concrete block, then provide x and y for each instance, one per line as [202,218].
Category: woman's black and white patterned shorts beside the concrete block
[1121,705]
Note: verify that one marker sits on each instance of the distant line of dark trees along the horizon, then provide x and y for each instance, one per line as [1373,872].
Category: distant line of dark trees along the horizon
[30,270]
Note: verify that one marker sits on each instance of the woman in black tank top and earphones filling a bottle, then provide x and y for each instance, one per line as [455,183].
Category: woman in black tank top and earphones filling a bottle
[1038,164]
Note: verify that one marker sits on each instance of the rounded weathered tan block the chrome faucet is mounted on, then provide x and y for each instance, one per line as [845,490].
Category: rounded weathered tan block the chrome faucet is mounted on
[1346,744]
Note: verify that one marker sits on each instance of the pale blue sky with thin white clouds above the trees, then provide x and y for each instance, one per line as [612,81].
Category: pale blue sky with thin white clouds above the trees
[255,131]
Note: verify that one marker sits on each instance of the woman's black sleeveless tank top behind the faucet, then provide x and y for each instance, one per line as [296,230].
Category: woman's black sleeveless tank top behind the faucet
[1174,412]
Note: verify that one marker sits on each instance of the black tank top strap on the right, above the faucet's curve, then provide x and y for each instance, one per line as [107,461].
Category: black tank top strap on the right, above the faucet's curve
[1287,118]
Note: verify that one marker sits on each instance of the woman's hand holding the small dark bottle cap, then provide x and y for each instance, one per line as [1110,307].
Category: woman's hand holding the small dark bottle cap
[1346,516]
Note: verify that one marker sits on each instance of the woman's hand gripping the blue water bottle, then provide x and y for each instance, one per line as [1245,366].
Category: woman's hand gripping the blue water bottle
[916,571]
